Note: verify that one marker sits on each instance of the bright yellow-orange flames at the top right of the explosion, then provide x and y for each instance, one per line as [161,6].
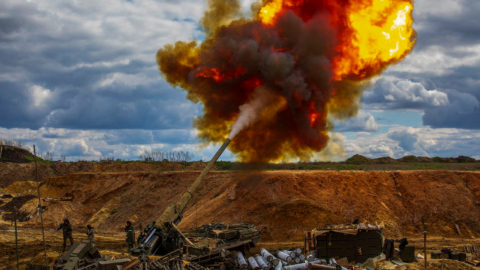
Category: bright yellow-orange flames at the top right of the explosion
[372,34]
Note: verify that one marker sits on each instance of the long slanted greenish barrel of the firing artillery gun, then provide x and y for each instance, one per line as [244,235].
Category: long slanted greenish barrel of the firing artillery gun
[173,211]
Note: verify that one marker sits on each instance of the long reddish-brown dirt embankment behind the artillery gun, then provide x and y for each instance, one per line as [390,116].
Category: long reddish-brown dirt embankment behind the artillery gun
[282,204]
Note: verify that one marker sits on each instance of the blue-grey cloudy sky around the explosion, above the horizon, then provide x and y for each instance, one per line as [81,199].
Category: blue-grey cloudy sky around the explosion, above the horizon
[79,78]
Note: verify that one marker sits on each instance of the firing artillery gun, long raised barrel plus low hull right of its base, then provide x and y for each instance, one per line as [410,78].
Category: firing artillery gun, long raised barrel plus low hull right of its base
[163,236]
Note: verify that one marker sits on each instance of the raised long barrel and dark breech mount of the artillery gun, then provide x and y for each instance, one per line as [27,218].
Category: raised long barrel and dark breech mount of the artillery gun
[162,236]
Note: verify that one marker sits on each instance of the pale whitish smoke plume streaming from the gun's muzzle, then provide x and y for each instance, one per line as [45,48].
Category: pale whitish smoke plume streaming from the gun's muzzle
[261,98]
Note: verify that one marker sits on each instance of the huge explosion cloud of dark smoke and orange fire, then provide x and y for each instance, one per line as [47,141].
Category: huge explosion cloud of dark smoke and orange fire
[273,81]
